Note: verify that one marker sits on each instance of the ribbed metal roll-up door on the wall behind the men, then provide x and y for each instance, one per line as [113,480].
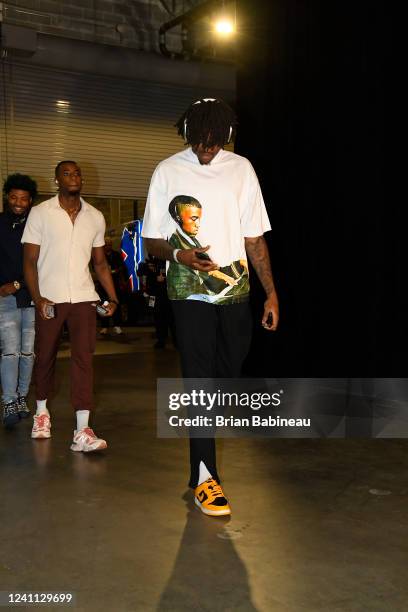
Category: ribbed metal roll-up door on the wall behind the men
[117,129]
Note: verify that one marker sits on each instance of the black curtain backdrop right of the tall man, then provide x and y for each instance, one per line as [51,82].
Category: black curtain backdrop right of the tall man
[318,110]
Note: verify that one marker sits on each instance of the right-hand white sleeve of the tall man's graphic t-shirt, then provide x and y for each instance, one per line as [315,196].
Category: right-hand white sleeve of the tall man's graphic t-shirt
[254,218]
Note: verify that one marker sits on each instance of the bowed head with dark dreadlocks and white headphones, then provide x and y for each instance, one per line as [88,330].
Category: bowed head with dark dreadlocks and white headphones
[207,122]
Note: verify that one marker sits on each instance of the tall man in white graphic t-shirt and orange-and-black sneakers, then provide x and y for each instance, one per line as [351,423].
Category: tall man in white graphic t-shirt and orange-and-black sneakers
[205,195]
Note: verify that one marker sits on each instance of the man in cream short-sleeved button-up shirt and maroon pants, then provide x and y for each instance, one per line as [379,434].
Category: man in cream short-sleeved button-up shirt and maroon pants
[62,236]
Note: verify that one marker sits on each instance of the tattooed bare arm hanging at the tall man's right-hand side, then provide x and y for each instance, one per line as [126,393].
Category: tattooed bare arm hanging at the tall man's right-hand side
[258,254]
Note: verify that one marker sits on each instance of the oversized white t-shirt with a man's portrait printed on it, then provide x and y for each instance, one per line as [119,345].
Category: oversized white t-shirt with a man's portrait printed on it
[217,204]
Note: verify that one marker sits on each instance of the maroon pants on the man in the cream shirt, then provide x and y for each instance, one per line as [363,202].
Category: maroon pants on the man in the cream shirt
[81,323]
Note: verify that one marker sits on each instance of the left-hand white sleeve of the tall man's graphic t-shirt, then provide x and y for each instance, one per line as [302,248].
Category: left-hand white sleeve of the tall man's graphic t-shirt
[155,221]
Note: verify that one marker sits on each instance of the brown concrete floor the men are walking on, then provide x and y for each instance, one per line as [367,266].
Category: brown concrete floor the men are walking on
[317,525]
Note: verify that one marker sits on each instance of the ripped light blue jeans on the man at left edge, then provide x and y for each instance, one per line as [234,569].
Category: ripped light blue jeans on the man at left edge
[17,348]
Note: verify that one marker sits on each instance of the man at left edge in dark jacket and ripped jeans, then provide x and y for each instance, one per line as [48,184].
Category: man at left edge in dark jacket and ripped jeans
[16,312]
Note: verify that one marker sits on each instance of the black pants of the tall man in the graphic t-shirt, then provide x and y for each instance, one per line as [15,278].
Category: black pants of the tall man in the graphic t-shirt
[213,342]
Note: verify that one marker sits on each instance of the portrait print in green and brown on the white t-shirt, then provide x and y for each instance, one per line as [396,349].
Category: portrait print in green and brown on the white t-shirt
[227,285]
